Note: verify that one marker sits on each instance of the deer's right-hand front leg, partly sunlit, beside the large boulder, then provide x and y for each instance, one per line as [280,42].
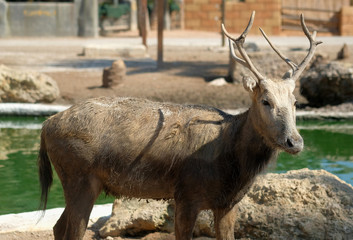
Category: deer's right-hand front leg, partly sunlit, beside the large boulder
[224,223]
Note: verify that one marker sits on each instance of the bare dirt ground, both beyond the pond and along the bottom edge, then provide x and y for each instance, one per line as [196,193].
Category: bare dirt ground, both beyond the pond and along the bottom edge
[184,78]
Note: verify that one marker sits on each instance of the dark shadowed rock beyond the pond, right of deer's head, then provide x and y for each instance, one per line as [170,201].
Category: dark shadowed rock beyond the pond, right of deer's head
[330,83]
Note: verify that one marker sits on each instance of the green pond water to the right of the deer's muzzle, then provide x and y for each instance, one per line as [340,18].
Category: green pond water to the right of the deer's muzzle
[327,145]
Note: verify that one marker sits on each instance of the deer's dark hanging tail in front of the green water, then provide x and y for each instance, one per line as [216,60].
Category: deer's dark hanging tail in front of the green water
[45,174]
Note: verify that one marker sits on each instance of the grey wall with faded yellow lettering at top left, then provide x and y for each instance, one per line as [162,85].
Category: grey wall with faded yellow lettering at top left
[49,19]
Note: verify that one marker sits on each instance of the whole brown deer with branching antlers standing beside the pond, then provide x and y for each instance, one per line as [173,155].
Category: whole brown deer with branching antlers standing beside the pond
[201,156]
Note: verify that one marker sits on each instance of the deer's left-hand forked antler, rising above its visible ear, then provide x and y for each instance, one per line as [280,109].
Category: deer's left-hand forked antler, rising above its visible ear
[239,42]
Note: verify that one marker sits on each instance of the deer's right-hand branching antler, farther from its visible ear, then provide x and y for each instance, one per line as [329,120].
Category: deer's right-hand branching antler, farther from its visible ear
[297,69]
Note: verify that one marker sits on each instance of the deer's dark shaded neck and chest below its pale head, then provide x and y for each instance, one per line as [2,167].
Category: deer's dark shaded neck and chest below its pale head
[248,157]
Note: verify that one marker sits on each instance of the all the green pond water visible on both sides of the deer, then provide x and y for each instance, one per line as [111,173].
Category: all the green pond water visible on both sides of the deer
[328,145]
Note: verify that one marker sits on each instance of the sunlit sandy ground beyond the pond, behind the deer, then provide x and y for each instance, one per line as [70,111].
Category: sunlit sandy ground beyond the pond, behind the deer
[191,60]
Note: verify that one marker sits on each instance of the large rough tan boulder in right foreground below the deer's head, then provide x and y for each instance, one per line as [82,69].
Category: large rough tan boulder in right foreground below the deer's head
[300,204]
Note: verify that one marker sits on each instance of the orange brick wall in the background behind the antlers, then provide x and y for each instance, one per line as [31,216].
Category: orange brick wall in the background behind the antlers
[206,15]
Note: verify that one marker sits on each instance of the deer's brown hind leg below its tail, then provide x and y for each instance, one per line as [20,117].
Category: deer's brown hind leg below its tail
[80,195]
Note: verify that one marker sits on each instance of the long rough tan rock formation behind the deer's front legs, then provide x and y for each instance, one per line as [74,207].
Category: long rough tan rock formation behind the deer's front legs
[301,204]
